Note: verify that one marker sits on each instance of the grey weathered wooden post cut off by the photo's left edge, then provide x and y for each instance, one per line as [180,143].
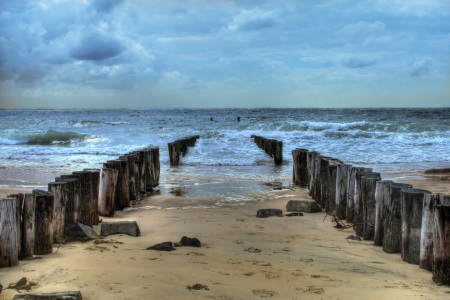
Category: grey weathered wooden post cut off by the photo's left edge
[9,254]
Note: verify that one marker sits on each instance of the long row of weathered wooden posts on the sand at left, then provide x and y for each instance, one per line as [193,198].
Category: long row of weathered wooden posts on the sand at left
[31,223]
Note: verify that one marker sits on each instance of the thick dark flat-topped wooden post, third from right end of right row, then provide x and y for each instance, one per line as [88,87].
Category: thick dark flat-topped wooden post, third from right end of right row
[411,208]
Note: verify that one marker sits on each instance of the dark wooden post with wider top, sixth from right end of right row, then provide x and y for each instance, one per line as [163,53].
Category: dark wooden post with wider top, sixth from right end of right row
[368,187]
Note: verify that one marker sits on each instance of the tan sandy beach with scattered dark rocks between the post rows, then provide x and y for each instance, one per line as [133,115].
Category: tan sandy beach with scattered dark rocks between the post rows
[242,257]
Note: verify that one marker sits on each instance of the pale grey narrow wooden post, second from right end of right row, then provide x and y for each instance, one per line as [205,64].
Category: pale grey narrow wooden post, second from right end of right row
[426,237]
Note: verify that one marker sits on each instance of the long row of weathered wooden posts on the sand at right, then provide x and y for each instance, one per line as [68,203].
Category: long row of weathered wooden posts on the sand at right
[396,216]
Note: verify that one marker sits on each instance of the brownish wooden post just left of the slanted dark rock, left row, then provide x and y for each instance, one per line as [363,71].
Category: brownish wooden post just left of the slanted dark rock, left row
[60,193]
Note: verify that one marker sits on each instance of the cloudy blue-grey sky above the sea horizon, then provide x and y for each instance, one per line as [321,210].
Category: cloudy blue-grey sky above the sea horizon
[223,53]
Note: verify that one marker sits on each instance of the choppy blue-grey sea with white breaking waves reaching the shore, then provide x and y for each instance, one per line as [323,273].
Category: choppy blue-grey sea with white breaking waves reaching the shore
[38,145]
